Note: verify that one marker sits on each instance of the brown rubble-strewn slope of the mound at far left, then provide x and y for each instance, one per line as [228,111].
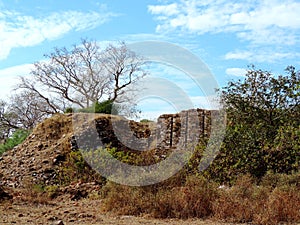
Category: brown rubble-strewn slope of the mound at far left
[38,157]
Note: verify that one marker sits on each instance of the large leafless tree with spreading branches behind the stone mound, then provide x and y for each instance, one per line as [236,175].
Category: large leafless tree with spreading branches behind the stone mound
[84,75]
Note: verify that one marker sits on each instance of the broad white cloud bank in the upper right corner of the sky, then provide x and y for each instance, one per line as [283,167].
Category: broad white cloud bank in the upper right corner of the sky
[259,21]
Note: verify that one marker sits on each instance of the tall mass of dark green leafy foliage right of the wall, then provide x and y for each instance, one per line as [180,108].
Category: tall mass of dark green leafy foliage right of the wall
[263,126]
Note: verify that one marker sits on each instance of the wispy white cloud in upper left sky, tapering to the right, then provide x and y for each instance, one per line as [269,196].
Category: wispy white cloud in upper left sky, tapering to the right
[18,30]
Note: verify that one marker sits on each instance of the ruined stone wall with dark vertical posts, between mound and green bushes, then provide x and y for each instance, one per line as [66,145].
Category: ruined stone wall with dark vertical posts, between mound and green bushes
[171,131]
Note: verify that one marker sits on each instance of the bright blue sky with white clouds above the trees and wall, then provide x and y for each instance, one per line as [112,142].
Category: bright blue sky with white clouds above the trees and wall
[227,36]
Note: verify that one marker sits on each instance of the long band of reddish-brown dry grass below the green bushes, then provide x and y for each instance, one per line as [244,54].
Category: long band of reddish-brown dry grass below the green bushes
[245,202]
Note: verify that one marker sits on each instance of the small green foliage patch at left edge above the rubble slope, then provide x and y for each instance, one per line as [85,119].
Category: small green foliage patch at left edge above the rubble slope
[17,138]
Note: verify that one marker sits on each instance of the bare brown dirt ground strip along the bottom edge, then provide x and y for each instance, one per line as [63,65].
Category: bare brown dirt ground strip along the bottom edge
[81,212]
